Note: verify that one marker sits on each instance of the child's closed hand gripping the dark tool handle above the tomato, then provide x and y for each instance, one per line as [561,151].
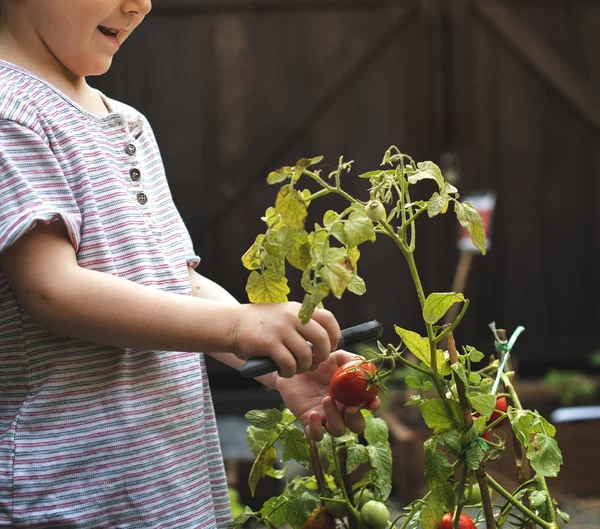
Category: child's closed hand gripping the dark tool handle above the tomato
[275,330]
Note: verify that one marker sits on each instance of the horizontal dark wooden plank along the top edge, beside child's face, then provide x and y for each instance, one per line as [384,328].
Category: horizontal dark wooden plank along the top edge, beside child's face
[202,7]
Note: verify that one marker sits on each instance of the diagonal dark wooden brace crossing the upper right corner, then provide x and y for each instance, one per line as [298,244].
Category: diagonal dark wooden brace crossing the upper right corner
[528,47]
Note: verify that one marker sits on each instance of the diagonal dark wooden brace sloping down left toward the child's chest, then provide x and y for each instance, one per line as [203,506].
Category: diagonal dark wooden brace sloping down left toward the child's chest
[279,135]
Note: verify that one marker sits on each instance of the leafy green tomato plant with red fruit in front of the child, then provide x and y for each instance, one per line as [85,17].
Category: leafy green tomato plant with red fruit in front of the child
[470,395]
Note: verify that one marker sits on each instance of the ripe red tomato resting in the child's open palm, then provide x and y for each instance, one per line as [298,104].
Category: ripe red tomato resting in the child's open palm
[350,382]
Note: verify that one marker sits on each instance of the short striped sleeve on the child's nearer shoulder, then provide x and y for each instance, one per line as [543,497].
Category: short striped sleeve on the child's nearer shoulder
[33,187]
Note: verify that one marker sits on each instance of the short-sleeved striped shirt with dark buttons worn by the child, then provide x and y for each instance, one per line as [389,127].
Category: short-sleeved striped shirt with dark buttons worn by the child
[93,436]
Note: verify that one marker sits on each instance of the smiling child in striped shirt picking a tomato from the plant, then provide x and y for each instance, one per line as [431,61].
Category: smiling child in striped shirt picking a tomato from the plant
[106,417]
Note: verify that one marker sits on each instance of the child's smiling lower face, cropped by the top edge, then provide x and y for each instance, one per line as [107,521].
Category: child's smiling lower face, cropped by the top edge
[75,32]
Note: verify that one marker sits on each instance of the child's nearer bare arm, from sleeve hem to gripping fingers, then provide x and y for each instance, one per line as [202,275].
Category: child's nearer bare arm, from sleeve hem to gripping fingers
[88,305]
